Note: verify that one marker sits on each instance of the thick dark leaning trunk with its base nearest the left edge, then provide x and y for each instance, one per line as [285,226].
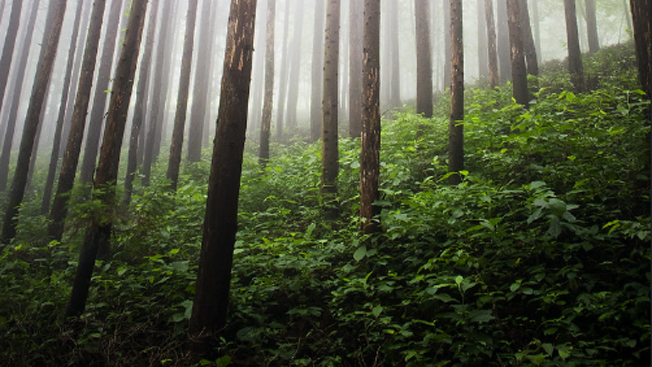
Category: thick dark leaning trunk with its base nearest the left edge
[43,74]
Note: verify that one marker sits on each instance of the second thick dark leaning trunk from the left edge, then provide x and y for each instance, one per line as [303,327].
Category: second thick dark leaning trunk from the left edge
[59,208]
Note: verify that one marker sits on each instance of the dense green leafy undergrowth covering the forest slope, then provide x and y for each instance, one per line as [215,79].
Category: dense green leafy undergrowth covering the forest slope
[539,258]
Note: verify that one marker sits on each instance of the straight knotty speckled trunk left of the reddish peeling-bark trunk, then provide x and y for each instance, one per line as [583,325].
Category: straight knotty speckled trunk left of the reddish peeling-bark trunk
[329,132]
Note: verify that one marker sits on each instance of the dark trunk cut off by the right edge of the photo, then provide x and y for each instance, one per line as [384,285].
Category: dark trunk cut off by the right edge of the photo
[641,14]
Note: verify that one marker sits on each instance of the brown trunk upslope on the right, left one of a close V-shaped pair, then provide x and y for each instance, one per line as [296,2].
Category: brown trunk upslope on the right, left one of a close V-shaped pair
[519,73]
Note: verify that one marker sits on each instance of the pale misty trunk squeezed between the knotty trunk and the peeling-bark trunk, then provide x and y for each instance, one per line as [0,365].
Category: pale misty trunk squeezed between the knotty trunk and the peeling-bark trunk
[356,32]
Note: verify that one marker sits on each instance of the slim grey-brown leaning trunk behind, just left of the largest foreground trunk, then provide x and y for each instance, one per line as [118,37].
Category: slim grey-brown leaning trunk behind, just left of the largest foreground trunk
[182,100]
